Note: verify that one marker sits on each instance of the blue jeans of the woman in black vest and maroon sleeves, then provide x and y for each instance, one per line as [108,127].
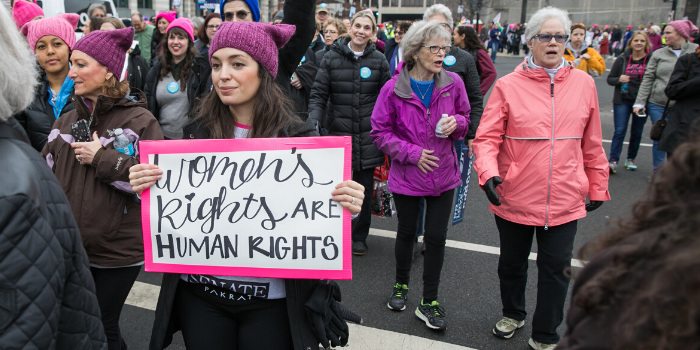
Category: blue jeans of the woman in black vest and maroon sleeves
[622,114]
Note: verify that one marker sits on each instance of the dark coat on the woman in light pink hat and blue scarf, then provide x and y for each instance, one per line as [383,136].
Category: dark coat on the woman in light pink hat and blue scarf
[38,118]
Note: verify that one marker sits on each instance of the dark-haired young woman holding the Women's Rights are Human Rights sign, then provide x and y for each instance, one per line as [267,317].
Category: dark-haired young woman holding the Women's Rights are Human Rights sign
[248,104]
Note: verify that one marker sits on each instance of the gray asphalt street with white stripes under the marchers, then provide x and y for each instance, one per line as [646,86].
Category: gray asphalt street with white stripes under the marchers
[469,284]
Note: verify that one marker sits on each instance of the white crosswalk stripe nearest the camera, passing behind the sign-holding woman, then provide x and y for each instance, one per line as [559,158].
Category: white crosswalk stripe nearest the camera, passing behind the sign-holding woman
[145,296]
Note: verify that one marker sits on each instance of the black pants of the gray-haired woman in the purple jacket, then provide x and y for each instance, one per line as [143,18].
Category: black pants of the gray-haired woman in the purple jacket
[437,214]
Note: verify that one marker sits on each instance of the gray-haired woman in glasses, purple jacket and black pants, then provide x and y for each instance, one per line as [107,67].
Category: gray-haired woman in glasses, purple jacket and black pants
[420,113]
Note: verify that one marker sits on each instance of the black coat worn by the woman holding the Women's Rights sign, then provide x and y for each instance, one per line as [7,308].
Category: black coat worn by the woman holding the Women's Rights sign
[298,290]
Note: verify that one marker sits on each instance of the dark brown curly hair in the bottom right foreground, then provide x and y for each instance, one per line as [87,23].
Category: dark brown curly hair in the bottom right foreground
[653,280]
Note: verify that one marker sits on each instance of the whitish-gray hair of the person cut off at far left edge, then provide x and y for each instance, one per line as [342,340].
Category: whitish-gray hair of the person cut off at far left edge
[18,78]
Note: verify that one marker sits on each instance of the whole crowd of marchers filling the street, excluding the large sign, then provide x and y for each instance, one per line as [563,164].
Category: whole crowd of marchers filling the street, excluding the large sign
[411,98]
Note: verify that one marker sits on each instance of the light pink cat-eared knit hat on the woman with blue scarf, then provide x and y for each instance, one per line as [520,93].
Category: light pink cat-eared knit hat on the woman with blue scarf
[62,26]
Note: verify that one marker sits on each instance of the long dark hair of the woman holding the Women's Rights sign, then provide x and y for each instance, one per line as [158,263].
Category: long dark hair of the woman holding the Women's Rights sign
[272,111]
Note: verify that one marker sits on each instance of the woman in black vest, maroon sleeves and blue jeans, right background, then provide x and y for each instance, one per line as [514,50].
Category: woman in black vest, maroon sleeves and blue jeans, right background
[626,76]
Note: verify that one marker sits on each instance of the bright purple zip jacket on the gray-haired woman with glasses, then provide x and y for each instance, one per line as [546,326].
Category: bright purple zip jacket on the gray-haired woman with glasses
[402,128]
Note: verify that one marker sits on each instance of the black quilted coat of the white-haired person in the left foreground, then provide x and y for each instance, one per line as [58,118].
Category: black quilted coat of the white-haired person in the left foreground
[47,294]
